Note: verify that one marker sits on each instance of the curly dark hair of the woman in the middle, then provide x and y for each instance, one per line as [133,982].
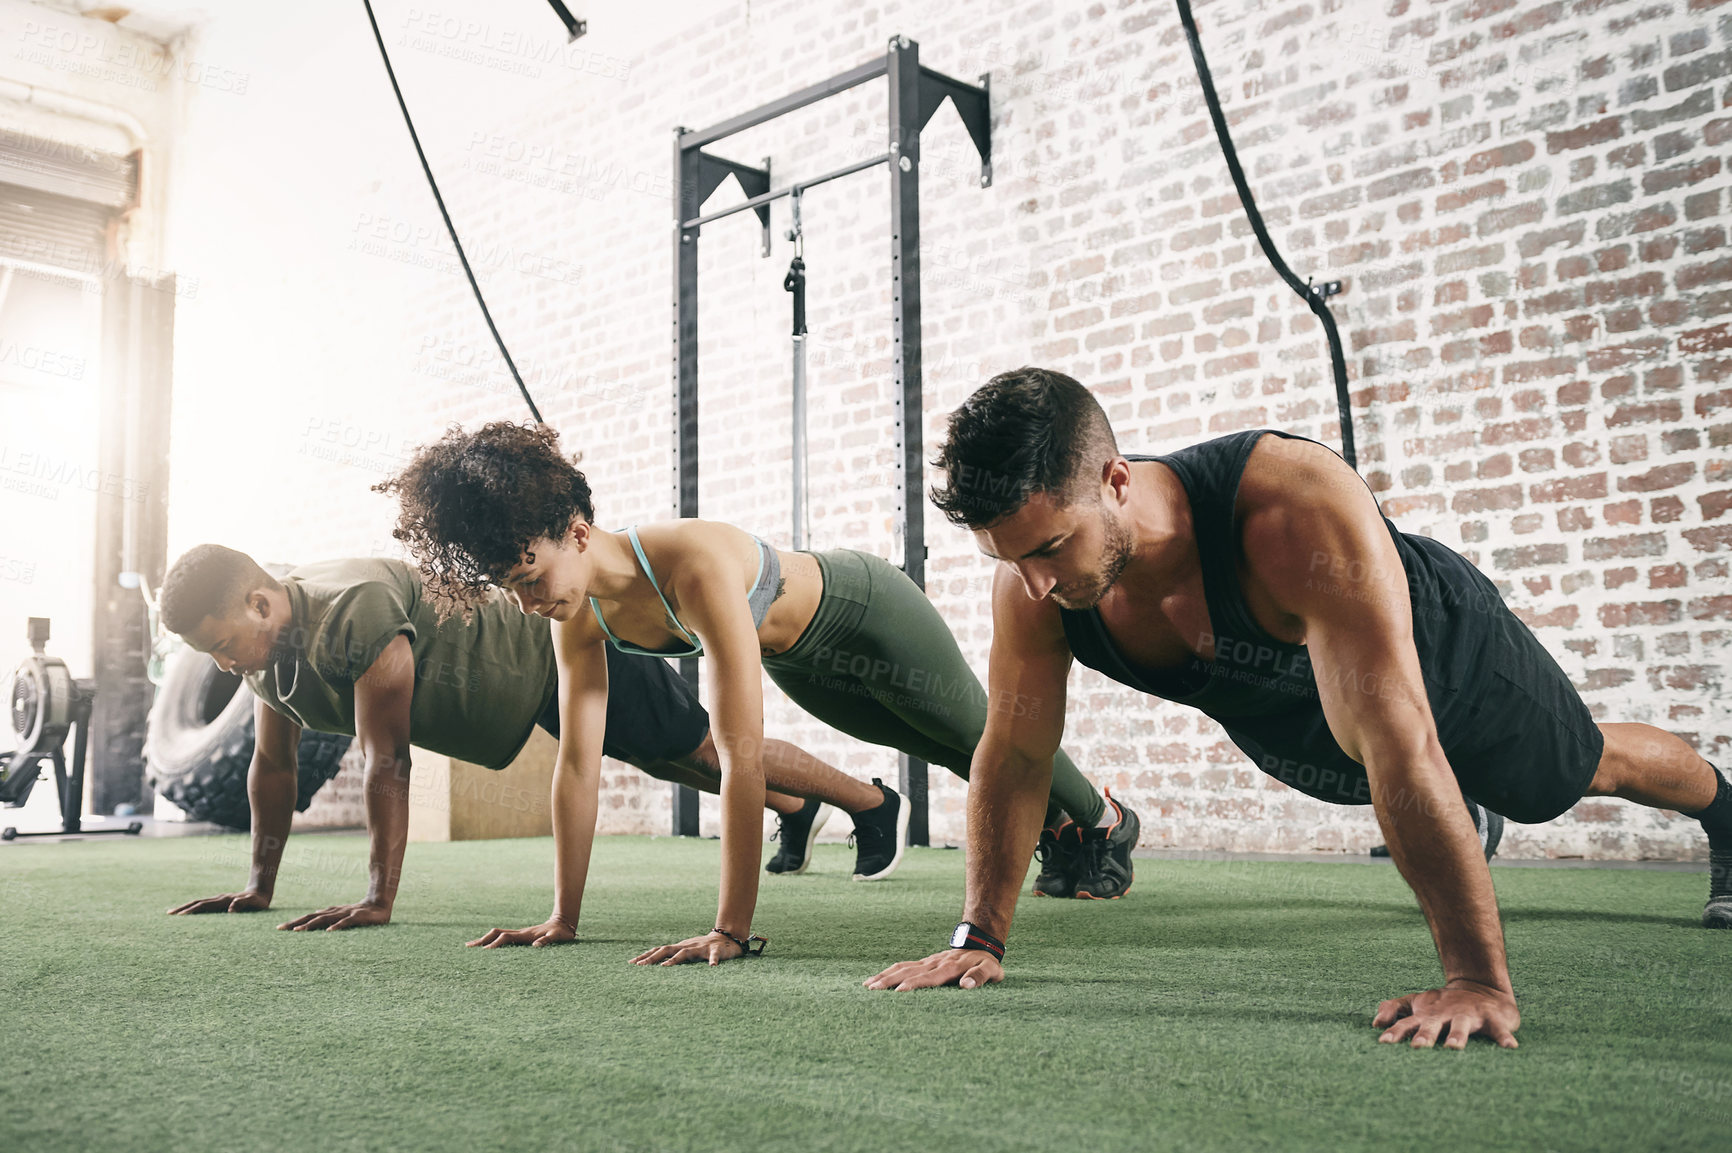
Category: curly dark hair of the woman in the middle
[472,503]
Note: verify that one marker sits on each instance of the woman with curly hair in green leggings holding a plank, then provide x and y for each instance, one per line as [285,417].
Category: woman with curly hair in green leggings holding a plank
[844,634]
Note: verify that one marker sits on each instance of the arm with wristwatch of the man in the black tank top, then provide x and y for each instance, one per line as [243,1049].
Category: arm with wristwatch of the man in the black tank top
[1009,780]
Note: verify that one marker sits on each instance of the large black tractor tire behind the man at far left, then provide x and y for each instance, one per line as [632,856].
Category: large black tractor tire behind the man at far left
[198,744]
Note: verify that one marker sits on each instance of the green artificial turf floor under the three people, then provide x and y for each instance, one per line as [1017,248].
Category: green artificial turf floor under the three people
[1220,1007]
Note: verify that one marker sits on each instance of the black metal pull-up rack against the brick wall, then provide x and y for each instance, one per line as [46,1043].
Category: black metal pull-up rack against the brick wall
[915,96]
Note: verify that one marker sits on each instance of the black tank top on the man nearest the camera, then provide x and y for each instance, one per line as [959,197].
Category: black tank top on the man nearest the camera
[1262,690]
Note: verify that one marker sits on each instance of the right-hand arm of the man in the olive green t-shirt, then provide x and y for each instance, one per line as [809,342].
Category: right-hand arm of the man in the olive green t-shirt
[384,697]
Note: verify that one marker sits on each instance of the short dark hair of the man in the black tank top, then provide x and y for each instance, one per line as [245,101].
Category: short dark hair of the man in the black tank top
[1021,434]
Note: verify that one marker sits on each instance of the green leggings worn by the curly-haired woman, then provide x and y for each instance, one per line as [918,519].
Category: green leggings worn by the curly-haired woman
[879,664]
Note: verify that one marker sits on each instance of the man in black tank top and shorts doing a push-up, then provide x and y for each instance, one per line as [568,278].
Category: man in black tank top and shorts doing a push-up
[1255,579]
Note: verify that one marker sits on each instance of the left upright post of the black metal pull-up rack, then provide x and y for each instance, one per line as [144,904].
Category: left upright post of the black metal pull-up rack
[687,200]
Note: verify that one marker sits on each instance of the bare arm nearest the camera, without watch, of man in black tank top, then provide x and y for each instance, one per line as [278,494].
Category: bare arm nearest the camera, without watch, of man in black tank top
[1303,512]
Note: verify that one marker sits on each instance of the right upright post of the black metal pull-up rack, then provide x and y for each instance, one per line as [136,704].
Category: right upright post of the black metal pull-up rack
[905,344]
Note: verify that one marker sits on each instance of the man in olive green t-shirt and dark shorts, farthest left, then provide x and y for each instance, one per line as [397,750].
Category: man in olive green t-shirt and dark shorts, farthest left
[356,647]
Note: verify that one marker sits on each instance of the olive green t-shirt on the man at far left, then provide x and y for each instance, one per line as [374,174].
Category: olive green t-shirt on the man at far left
[481,686]
